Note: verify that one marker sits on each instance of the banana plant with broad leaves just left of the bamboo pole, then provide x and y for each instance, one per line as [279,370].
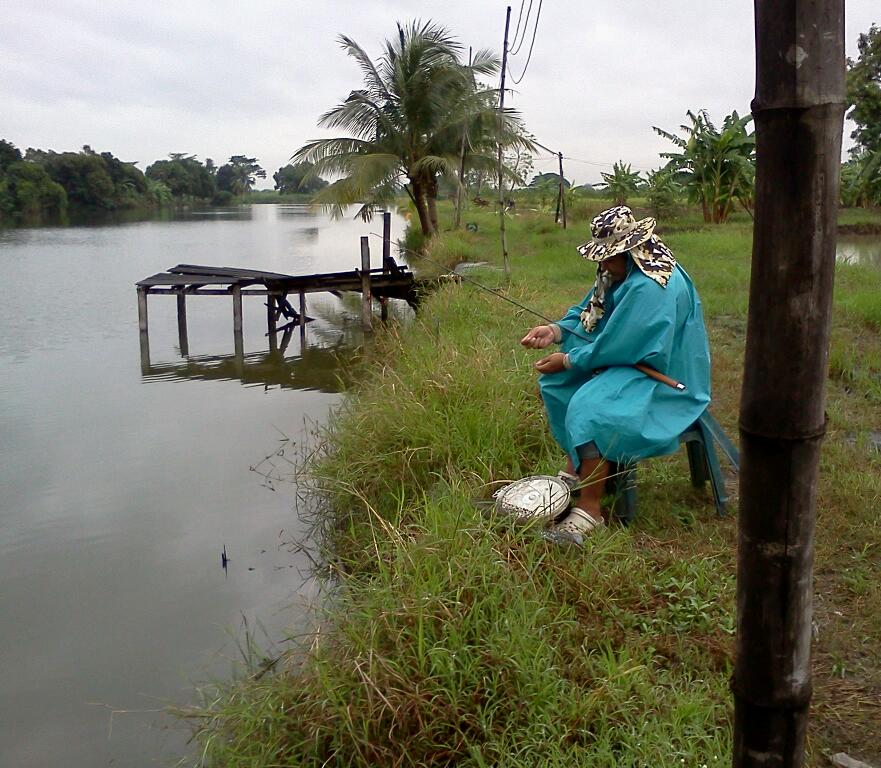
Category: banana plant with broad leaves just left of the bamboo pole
[717,167]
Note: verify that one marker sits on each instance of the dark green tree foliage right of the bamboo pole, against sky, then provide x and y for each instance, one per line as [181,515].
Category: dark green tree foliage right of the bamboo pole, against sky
[864,92]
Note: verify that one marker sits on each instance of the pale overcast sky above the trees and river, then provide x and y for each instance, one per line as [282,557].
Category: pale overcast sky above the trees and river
[214,79]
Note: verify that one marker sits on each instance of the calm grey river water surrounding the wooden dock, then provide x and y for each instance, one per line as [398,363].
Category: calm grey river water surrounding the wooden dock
[121,486]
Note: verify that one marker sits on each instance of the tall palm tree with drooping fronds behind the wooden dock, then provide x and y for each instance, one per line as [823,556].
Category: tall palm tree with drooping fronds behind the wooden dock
[407,121]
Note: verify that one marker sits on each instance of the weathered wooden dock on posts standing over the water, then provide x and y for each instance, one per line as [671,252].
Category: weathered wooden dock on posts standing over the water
[390,281]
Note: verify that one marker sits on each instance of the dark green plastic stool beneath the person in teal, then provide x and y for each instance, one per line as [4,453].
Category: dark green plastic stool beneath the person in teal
[700,441]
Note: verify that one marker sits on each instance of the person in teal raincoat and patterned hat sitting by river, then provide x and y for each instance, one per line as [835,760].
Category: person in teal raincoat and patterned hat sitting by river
[643,309]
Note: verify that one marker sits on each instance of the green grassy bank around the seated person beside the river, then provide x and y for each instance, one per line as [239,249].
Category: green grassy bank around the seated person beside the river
[451,640]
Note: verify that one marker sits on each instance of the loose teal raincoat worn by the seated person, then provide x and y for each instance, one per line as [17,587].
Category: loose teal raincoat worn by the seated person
[601,398]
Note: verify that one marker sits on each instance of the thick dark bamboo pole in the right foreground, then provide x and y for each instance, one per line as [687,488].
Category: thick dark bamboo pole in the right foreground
[798,111]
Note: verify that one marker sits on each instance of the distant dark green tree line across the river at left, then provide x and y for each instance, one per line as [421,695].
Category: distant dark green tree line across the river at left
[43,185]
